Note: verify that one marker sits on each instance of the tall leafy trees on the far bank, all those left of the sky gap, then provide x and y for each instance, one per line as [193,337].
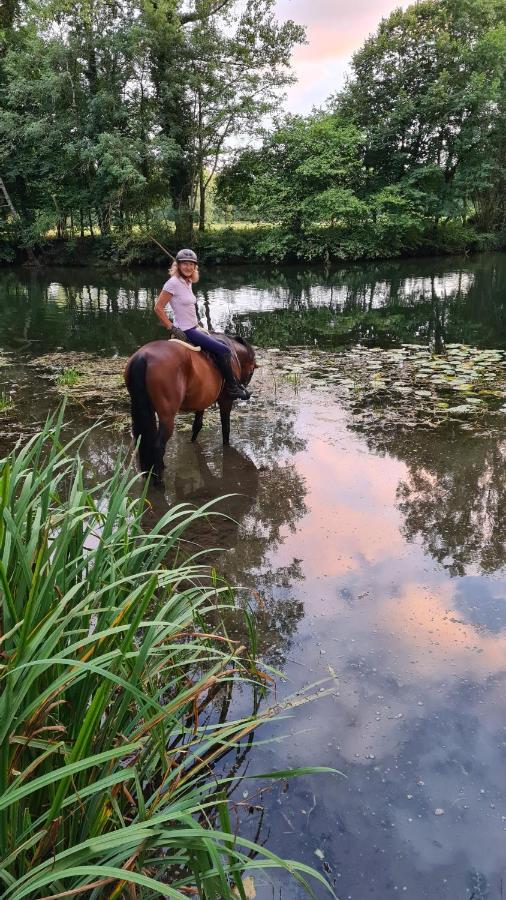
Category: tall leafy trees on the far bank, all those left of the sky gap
[109,111]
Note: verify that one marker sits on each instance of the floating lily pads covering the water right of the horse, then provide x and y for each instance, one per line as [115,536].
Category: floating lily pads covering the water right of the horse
[408,386]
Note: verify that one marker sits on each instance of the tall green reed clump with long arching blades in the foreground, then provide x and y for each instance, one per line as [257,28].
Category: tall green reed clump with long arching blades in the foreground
[107,677]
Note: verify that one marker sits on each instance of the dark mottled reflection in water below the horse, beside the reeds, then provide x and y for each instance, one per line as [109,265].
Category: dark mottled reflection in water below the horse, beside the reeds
[269,500]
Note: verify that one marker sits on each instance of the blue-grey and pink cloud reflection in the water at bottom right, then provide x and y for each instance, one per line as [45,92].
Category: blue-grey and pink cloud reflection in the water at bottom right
[419,723]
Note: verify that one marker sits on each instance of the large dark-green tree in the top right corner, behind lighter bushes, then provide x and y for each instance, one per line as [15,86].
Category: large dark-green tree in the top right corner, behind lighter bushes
[428,89]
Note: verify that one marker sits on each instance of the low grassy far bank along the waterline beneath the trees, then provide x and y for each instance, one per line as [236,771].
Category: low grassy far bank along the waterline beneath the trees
[240,244]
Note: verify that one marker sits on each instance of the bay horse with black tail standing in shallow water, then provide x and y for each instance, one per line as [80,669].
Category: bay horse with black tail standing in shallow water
[168,376]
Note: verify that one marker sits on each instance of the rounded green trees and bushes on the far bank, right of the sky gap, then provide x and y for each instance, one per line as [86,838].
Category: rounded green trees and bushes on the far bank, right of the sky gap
[405,157]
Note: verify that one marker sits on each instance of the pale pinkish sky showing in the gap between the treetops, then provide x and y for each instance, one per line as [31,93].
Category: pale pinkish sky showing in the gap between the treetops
[335,29]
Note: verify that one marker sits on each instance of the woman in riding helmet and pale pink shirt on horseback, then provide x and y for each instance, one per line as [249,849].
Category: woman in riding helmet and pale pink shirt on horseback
[177,292]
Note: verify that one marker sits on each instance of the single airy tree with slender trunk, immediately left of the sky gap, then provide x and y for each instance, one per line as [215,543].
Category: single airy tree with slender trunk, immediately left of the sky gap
[215,72]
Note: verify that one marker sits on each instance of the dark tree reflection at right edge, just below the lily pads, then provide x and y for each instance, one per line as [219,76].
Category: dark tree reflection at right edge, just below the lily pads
[454,496]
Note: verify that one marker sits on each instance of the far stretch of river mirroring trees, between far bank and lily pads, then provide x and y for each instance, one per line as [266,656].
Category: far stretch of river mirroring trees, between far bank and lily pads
[388,301]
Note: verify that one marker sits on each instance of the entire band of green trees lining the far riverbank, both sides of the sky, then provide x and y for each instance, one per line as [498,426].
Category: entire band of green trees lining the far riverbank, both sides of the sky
[113,121]
